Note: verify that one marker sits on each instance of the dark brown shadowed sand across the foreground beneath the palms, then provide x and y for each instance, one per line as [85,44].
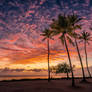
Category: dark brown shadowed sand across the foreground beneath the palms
[44,86]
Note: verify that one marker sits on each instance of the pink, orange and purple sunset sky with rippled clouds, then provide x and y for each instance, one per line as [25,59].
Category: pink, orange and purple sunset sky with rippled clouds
[22,50]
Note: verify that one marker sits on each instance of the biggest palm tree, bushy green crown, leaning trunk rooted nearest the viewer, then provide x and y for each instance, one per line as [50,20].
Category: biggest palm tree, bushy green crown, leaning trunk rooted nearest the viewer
[62,26]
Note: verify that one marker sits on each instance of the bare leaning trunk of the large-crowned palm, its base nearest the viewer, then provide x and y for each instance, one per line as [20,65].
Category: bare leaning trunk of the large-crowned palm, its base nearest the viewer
[73,81]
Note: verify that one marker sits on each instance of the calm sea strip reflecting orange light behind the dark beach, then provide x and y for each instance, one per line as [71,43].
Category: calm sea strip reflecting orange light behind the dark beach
[17,77]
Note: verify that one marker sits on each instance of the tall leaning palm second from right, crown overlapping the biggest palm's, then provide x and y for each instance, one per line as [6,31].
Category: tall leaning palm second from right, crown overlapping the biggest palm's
[74,20]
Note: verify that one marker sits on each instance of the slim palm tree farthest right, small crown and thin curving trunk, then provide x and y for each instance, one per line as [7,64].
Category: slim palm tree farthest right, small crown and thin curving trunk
[86,37]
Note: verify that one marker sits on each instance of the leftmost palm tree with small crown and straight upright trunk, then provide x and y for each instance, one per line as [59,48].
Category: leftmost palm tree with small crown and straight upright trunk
[47,36]
